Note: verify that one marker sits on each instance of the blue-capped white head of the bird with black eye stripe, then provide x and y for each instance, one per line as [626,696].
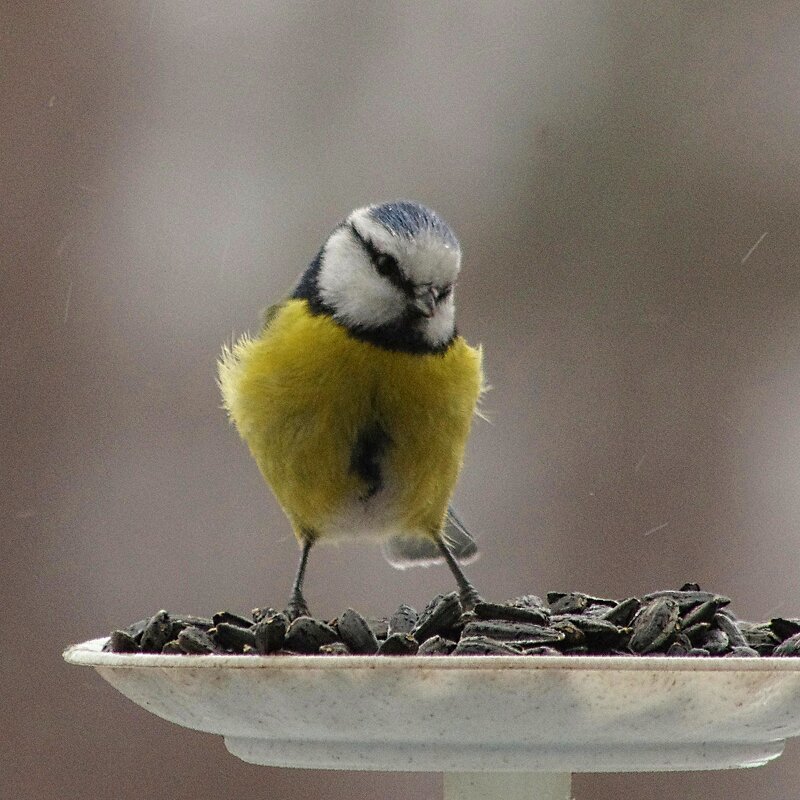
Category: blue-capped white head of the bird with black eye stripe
[388,272]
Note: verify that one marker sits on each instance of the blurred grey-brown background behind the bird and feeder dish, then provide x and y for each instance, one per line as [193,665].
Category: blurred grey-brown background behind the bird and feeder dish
[624,180]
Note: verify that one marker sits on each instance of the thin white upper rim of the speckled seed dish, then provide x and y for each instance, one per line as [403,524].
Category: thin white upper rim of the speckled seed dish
[90,654]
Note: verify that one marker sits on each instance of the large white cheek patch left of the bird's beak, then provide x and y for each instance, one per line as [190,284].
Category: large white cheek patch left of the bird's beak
[349,284]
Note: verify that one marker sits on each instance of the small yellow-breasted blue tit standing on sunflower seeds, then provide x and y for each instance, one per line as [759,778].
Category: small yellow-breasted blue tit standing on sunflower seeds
[357,396]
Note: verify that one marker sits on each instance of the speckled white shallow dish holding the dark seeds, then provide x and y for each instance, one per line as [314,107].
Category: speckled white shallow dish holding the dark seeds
[471,713]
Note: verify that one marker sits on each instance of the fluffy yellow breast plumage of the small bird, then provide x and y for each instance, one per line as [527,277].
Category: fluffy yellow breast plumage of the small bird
[303,392]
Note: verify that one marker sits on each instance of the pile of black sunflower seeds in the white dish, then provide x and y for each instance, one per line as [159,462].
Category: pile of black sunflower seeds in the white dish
[682,622]
